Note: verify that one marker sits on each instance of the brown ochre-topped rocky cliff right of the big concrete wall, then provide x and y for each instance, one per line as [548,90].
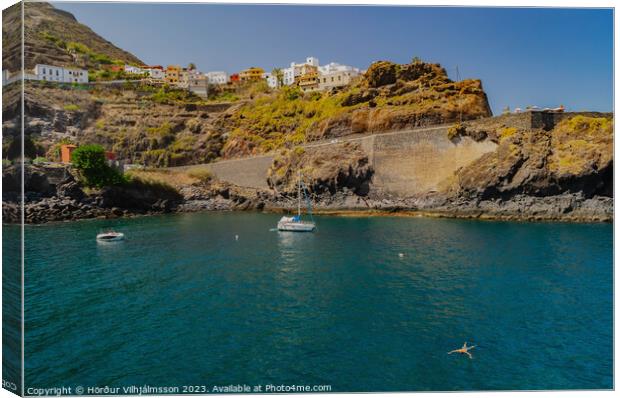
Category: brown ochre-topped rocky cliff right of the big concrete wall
[575,157]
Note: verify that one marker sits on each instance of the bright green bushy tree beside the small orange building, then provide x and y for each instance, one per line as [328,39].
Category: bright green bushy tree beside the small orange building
[90,162]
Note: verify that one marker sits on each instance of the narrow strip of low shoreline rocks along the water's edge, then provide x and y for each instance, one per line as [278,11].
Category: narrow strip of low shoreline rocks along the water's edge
[564,208]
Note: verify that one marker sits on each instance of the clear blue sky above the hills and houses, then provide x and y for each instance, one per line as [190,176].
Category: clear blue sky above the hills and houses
[524,56]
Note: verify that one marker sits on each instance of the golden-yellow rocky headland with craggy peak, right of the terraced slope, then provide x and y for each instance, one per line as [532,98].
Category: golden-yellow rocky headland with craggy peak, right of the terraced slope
[388,97]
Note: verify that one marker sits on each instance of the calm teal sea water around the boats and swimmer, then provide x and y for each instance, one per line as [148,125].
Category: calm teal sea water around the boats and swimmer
[181,302]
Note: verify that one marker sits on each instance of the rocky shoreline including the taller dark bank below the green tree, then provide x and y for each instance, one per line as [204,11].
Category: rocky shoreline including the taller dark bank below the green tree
[55,195]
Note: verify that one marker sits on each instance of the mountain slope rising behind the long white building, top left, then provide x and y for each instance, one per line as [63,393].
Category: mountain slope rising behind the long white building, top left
[55,37]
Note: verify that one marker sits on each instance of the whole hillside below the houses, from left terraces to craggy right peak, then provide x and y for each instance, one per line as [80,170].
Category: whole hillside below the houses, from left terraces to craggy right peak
[162,126]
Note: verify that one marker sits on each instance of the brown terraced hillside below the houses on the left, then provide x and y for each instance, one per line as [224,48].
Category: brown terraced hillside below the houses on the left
[142,124]
